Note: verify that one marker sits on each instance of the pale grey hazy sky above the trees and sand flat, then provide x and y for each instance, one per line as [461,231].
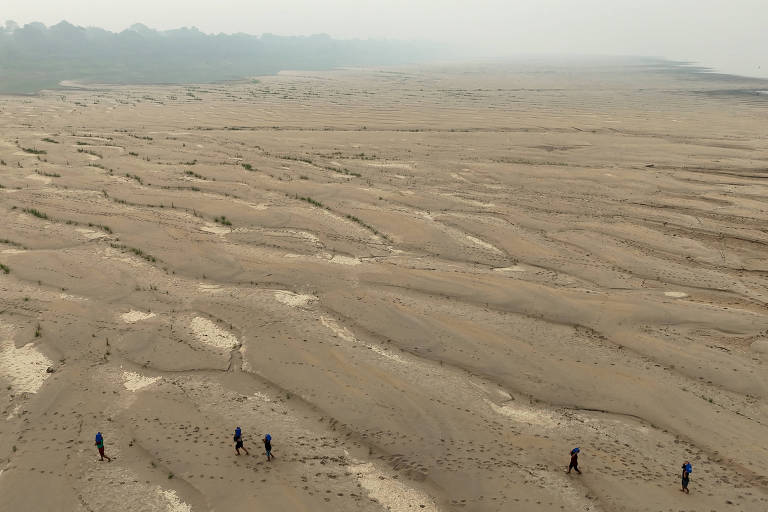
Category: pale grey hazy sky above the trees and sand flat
[731,35]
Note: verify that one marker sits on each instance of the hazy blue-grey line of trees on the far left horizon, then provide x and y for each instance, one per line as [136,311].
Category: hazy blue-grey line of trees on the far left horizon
[35,57]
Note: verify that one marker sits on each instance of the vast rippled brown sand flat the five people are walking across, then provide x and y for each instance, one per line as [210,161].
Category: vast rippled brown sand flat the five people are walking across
[427,284]
